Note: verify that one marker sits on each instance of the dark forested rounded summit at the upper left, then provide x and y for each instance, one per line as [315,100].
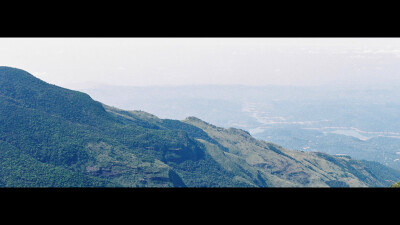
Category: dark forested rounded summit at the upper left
[30,92]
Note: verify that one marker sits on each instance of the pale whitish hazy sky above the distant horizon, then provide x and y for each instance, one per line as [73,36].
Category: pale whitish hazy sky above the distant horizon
[76,62]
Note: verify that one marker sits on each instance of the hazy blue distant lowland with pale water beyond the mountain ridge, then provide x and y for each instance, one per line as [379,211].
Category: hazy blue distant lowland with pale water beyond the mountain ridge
[357,121]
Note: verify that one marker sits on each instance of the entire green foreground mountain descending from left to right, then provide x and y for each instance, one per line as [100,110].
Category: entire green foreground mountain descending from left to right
[55,137]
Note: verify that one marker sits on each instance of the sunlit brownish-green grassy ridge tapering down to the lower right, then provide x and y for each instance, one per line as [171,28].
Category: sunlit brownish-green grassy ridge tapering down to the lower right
[266,162]
